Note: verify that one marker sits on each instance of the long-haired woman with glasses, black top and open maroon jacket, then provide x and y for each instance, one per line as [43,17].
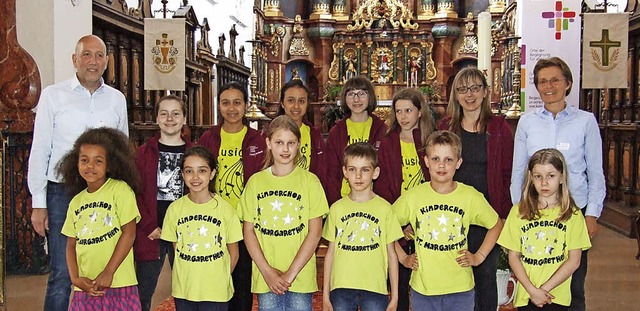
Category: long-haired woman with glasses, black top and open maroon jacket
[487,149]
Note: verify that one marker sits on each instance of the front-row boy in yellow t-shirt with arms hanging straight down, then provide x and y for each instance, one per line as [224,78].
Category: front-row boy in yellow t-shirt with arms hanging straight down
[361,230]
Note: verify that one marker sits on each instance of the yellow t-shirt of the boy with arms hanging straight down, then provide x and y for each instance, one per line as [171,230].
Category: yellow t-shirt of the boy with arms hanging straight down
[361,233]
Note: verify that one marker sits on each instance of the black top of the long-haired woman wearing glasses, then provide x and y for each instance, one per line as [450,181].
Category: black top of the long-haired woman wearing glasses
[473,171]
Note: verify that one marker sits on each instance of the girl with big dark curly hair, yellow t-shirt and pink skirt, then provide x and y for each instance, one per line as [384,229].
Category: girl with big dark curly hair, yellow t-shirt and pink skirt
[101,221]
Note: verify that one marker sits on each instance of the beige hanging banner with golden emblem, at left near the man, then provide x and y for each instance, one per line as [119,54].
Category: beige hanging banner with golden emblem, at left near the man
[164,54]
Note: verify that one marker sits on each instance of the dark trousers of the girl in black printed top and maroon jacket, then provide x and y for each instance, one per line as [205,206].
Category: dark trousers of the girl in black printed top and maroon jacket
[147,273]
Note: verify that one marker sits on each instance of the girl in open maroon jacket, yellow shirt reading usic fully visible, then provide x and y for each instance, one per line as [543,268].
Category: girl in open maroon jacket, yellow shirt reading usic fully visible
[239,151]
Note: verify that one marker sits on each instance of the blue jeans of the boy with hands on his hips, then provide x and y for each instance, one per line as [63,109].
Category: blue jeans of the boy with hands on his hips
[463,301]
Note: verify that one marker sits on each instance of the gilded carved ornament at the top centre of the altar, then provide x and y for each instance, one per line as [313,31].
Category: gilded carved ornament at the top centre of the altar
[393,11]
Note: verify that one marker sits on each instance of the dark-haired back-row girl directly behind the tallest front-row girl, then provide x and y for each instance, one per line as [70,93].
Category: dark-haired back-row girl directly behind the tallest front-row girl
[294,102]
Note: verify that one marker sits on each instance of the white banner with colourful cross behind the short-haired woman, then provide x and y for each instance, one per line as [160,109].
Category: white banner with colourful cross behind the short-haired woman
[549,28]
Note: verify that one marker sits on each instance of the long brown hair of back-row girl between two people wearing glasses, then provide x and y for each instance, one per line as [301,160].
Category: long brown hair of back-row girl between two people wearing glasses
[425,122]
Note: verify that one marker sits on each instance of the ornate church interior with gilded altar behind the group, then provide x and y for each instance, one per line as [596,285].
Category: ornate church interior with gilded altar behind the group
[396,44]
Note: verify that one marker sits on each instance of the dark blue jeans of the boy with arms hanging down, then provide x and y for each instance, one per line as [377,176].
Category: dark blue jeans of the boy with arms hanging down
[346,299]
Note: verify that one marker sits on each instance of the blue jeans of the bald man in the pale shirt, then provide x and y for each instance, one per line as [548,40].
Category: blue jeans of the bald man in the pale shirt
[59,285]
